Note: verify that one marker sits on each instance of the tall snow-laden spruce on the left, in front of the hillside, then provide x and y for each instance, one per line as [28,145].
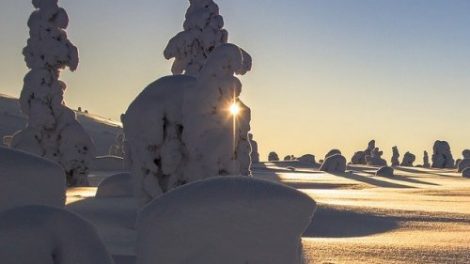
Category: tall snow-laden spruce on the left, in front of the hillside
[52,131]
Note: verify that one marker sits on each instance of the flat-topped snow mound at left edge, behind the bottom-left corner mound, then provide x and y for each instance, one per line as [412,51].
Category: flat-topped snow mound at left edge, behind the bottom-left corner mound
[27,179]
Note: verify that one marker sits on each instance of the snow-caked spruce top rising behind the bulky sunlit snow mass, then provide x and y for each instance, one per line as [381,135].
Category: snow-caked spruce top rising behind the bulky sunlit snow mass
[203,32]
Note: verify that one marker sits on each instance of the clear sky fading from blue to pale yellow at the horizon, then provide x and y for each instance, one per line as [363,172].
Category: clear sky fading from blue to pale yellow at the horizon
[326,74]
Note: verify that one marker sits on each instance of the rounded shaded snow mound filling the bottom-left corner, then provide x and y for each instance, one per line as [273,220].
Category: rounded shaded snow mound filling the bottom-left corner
[47,235]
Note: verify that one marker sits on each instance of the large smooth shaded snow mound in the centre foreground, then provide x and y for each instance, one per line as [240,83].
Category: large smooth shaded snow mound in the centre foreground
[228,220]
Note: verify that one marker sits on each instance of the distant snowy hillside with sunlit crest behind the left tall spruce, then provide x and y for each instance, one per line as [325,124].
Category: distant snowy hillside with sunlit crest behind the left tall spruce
[102,130]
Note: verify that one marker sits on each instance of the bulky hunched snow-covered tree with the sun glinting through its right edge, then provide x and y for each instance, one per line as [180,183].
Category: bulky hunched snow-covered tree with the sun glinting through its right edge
[180,129]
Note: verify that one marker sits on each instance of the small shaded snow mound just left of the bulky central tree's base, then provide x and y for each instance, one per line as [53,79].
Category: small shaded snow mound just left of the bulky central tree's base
[119,185]
